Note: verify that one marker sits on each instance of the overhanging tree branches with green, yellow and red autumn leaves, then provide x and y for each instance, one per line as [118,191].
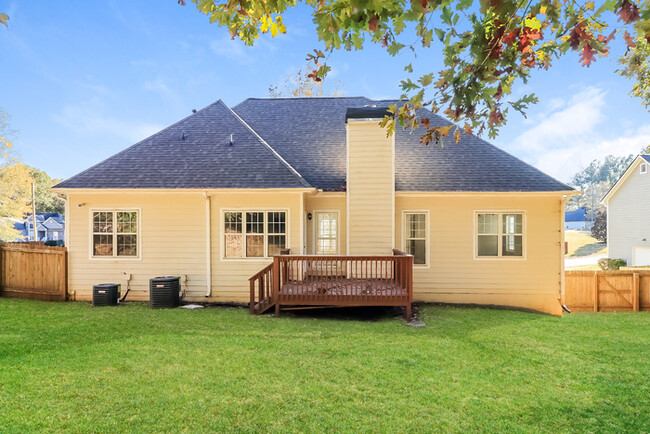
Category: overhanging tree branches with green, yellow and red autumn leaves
[487,46]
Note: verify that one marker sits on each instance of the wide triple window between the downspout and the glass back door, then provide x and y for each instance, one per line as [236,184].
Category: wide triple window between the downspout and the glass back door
[254,234]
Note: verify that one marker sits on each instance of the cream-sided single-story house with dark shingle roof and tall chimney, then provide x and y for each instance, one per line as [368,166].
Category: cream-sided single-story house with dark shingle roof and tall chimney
[215,195]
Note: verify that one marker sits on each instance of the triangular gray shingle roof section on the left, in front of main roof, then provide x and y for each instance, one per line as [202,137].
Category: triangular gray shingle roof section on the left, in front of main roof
[204,158]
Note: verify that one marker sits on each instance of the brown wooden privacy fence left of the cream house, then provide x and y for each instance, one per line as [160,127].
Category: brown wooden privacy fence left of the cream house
[33,271]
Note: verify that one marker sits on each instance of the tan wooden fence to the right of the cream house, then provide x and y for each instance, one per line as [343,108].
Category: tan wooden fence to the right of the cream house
[605,291]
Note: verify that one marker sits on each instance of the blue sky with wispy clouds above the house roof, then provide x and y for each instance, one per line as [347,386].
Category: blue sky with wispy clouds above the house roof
[83,80]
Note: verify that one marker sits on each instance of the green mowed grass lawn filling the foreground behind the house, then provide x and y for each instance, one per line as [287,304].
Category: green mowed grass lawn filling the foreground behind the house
[67,366]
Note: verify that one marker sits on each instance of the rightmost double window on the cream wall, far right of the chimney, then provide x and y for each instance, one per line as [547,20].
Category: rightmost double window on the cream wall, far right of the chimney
[500,234]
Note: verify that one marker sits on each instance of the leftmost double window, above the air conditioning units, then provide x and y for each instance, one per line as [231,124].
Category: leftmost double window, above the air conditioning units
[115,233]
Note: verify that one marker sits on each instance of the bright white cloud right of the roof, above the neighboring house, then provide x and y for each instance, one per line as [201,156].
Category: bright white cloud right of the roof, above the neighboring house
[575,131]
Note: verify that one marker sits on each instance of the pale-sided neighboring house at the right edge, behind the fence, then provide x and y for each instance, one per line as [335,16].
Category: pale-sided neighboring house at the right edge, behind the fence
[628,214]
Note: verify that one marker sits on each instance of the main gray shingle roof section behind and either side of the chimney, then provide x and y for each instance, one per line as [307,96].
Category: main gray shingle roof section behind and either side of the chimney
[310,134]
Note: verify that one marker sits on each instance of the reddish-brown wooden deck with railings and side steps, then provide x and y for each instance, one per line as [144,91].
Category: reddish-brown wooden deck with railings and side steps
[309,281]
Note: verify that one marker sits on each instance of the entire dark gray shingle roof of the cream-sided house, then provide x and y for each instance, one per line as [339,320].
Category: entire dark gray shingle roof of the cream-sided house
[297,143]
